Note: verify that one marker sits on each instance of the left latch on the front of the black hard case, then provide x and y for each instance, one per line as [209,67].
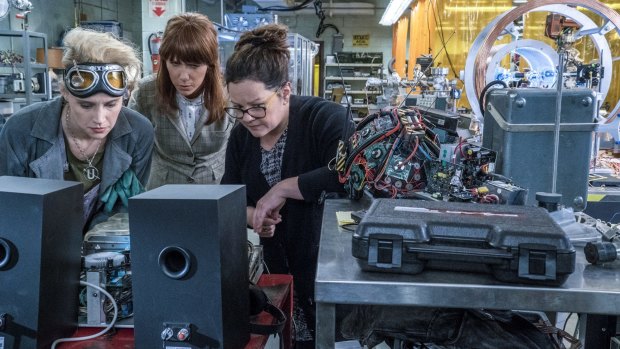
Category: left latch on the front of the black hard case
[385,250]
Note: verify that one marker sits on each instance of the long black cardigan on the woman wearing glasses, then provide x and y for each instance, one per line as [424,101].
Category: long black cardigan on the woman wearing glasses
[314,129]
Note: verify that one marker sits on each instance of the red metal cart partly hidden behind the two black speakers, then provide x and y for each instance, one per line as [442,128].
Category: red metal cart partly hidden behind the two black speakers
[278,287]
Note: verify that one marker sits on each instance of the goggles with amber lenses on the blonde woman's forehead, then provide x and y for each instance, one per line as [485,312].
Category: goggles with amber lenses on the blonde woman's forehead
[86,79]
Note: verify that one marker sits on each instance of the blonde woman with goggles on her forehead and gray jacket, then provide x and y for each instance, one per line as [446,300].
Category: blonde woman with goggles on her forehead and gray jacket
[86,134]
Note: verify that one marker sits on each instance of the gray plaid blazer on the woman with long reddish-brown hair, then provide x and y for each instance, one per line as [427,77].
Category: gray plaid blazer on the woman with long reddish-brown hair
[178,159]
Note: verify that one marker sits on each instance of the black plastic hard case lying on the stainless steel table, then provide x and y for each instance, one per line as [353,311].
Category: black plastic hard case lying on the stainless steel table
[518,244]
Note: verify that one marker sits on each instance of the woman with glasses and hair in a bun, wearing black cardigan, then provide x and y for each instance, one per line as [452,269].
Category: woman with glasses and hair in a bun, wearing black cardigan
[280,150]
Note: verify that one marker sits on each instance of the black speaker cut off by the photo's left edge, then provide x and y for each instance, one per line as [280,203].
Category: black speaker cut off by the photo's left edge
[40,237]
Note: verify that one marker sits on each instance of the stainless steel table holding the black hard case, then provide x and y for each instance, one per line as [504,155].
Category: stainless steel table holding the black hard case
[589,290]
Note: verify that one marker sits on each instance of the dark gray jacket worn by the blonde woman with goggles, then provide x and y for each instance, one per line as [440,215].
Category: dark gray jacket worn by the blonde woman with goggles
[30,145]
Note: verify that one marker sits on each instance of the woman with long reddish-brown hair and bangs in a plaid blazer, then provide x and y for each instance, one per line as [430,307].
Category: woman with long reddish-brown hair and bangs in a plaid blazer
[185,101]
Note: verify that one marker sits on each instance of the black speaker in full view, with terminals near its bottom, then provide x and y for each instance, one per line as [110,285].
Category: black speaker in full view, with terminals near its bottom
[190,267]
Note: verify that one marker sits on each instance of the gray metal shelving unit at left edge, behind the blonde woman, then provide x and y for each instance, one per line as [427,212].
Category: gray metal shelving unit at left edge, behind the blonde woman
[25,44]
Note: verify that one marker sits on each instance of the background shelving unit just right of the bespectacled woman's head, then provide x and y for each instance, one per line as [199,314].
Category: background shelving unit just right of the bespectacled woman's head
[354,76]
